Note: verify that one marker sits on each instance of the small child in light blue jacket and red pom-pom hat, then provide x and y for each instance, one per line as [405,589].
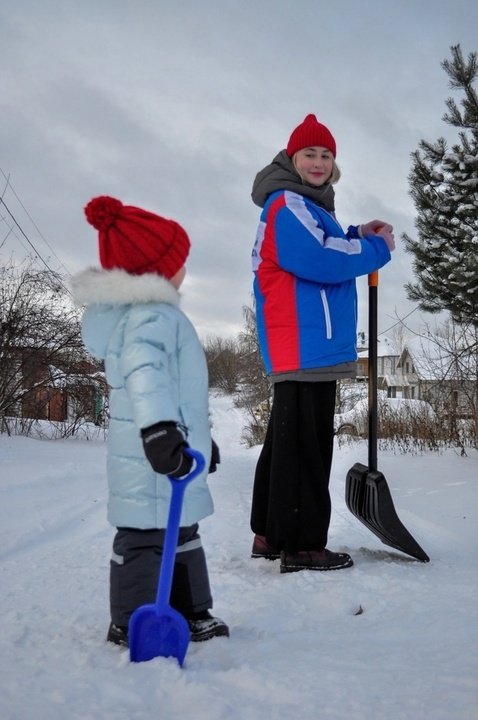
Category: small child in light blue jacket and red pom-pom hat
[157,373]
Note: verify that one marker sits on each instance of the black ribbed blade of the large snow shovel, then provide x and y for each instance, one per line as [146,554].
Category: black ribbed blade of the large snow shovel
[368,497]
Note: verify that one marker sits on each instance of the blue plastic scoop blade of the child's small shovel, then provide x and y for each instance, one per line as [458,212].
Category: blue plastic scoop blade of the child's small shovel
[157,632]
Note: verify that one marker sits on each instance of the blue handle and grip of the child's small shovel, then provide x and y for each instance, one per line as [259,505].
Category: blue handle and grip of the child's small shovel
[172,529]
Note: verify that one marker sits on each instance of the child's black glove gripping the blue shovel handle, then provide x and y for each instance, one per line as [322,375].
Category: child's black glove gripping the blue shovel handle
[164,445]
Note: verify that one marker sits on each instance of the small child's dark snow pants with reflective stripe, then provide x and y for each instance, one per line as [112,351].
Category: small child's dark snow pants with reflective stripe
[135,566]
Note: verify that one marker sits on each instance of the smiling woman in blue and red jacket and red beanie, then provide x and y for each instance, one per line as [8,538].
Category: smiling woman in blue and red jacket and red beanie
[305,268]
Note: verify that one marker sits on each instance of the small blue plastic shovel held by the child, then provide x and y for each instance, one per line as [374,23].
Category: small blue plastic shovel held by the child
[157,629]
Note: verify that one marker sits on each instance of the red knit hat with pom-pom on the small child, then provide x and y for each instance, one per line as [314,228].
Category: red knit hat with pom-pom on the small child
[136,240]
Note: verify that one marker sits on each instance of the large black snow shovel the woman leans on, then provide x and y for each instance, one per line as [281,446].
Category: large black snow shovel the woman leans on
[367,494]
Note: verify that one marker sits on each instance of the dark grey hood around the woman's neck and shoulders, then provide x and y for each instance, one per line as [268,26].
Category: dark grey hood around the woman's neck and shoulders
[281,175]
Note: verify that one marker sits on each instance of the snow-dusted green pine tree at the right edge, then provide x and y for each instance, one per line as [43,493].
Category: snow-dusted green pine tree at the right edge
[444,187]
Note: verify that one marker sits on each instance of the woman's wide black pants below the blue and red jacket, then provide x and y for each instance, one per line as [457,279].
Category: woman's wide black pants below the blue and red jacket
[291,501]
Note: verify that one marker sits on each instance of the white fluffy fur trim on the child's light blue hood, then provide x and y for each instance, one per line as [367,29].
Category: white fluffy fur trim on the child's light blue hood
[117,287]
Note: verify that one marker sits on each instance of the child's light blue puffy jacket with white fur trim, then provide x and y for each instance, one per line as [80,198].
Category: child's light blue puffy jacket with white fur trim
[156,369]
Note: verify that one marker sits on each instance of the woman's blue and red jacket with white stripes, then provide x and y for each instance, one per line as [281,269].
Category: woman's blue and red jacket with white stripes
[305,268]
